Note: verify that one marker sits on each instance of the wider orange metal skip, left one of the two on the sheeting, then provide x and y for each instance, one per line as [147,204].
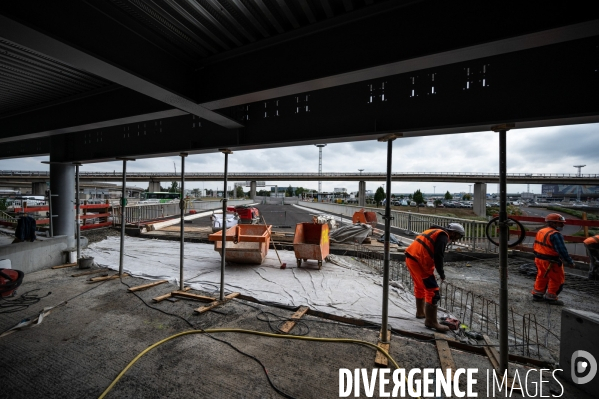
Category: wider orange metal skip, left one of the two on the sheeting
[245,243]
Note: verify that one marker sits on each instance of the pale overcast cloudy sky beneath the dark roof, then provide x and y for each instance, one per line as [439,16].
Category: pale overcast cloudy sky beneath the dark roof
[540,150]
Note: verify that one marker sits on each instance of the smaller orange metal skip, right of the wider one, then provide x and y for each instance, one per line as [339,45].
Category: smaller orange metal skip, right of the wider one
[311,241]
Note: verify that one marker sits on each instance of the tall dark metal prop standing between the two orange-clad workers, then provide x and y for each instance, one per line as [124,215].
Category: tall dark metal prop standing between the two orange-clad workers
[503,239]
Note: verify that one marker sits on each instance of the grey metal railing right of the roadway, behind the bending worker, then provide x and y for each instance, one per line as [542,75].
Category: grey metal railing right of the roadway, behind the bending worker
[414,223]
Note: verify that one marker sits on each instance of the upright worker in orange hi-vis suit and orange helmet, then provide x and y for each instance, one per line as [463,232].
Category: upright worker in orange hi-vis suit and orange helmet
[550,257]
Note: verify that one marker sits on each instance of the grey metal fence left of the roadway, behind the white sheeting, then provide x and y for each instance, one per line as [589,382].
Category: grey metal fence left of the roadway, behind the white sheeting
[139,213]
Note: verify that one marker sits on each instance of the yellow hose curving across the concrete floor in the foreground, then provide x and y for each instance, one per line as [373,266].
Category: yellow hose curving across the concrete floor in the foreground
[242,331]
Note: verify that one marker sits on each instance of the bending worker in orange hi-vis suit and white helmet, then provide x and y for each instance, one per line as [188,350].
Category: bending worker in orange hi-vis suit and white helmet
[423,256]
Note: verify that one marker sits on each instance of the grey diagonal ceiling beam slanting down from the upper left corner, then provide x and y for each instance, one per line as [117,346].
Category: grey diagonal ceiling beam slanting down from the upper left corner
[47,45]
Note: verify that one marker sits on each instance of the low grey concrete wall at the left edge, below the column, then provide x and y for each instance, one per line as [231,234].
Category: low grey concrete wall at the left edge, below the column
[33,256]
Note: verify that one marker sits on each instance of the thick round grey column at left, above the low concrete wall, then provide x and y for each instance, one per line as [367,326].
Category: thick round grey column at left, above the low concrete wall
[62,183]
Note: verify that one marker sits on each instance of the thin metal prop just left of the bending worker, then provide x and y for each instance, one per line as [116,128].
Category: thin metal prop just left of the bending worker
[385,308]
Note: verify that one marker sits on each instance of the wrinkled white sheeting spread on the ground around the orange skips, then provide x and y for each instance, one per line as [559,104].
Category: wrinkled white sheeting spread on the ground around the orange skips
[344,288]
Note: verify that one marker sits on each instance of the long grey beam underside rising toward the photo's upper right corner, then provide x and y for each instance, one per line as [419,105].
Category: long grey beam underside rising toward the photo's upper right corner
[504,46]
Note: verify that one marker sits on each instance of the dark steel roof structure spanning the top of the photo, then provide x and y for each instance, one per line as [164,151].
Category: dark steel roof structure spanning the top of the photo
[92,81]
